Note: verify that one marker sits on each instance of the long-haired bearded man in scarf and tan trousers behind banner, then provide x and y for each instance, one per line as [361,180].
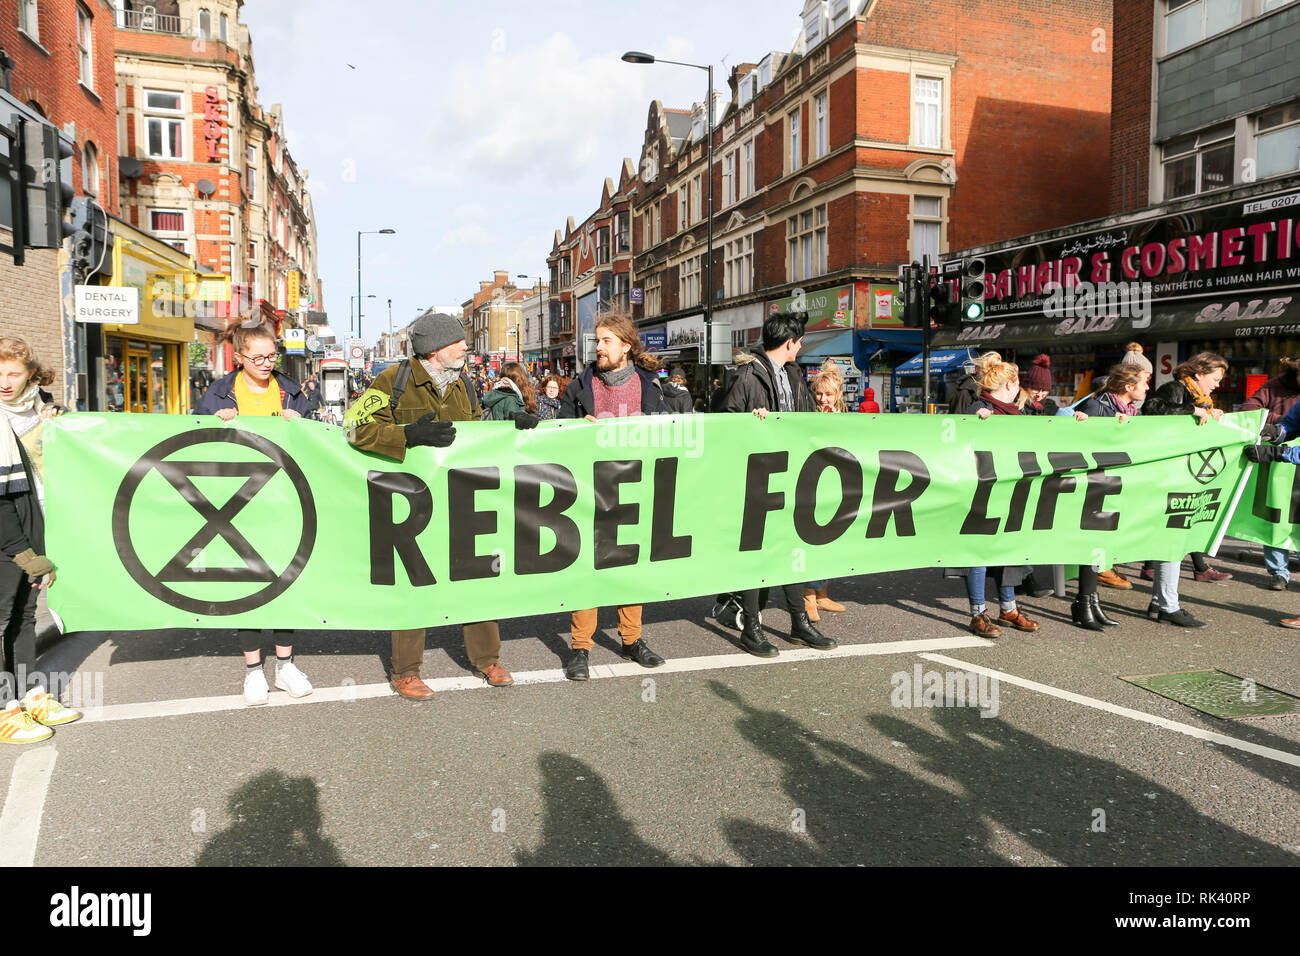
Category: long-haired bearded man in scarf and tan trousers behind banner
[622,382]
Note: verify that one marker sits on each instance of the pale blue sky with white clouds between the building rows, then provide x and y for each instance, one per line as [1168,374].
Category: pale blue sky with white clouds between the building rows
[476,129]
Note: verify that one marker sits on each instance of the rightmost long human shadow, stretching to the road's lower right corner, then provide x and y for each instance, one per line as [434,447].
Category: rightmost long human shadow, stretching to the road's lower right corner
[1051,797]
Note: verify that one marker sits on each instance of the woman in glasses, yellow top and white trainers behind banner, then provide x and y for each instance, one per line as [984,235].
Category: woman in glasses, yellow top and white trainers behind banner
[257,390]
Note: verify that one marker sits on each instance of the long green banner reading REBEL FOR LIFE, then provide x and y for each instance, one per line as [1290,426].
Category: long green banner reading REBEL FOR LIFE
[189,522]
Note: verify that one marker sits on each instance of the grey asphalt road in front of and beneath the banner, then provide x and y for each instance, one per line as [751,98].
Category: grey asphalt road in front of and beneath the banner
[735,762]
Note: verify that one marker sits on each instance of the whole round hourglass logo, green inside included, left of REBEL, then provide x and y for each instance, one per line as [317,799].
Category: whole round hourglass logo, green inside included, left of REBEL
[187,568]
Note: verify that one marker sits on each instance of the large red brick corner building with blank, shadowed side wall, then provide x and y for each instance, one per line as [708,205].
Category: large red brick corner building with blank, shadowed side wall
[892,131]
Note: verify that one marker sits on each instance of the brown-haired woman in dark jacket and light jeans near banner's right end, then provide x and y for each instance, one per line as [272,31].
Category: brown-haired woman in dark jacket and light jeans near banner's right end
[1188,395]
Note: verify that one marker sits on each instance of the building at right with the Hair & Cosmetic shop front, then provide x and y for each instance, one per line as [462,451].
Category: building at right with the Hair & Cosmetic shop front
[1203,184]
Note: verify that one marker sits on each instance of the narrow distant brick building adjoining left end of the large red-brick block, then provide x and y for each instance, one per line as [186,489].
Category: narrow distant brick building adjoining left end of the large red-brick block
[591,271]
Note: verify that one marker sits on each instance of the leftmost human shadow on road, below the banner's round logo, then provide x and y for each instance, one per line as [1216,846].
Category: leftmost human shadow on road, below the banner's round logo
[278,824]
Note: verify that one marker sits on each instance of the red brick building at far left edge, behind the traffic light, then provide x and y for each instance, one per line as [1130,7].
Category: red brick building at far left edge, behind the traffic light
[63,72]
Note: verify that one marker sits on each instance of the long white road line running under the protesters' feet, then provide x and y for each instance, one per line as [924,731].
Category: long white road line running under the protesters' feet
[623,669]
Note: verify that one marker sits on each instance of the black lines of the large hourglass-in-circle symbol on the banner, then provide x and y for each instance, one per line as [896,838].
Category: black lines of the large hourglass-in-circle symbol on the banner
[218,522]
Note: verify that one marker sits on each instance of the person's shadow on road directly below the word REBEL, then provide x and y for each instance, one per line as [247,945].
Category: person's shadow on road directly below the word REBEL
[582,823]
